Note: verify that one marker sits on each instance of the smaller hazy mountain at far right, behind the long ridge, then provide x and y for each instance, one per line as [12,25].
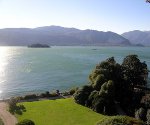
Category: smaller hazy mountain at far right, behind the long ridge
[138,37]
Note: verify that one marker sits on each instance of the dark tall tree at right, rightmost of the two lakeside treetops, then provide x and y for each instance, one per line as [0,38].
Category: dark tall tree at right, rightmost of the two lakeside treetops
[135,73]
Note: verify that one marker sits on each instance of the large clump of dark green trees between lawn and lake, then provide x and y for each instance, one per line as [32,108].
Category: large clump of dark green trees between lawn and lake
[112,82]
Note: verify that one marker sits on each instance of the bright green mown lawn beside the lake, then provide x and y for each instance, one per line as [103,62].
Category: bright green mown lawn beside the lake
[59,112]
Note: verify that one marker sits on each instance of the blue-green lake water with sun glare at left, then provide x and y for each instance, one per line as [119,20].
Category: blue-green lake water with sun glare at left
[28,70]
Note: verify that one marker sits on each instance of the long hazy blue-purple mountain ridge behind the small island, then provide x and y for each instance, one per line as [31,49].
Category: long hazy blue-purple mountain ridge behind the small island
[56,35]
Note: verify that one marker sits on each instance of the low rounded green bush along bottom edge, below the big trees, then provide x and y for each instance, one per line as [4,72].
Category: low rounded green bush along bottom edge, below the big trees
[120,120]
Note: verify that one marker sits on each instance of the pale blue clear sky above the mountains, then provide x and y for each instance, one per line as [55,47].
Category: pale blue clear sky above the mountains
[104,15]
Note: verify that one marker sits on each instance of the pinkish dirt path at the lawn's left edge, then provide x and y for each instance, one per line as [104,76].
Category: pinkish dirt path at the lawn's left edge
[7,118]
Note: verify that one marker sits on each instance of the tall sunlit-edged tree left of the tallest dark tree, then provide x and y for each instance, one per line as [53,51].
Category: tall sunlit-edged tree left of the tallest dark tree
[105,71]
